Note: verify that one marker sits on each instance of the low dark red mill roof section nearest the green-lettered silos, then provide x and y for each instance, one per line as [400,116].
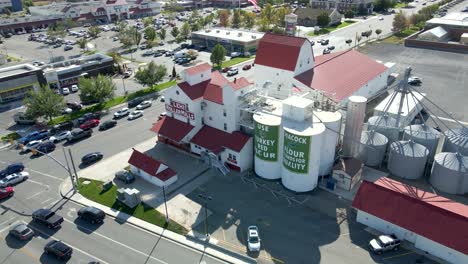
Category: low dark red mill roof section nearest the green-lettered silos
[216,140]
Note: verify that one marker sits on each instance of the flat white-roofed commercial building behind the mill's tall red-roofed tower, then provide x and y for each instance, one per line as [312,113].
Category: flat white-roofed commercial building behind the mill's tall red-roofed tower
[232,40]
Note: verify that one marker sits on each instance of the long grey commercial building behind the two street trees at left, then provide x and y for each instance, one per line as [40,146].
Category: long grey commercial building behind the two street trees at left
[65,73]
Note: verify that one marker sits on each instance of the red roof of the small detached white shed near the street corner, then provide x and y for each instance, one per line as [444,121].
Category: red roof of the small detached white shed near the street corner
[150,165]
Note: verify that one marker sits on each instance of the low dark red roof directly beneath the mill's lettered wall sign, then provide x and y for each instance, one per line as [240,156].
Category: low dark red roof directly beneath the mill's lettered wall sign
[172,128]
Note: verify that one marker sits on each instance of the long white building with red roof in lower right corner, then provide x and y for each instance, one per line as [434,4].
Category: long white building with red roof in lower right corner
[433,223]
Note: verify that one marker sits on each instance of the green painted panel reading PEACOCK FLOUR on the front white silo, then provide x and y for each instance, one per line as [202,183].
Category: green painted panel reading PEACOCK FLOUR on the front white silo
[296,152]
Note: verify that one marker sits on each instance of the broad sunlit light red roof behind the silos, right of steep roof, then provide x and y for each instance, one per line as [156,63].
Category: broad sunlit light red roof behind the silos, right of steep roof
[353,68]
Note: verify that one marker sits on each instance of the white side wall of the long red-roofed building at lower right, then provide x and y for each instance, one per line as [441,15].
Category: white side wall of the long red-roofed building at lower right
[420,242]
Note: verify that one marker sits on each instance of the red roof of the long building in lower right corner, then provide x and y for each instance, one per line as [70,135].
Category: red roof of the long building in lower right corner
[427,214]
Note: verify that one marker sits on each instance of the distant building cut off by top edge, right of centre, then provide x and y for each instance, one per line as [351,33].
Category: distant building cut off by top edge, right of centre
[343,5]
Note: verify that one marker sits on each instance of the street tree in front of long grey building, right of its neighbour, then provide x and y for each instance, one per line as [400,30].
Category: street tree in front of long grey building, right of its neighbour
[96,89]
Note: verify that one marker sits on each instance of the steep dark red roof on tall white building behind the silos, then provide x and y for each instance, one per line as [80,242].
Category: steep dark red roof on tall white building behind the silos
[279,51]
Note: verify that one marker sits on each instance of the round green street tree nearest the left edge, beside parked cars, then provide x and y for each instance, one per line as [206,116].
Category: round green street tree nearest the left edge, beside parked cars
[43,103]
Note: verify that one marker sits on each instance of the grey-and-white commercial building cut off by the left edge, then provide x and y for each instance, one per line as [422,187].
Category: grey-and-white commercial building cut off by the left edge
[16,81]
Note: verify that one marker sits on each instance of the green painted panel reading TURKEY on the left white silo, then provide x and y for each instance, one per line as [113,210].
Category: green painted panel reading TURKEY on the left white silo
[266,142]
